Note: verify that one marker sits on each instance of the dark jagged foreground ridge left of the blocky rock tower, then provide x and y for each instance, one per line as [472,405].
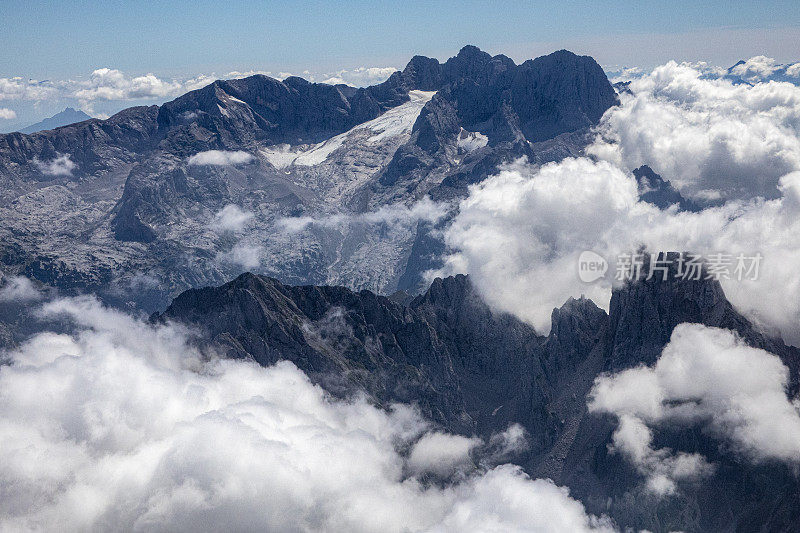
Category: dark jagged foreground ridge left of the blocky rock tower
[469,368]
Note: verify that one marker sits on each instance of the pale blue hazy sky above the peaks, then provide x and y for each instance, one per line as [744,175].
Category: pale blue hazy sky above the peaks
[49,40]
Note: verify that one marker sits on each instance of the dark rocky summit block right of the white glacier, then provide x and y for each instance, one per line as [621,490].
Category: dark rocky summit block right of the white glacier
[513,105]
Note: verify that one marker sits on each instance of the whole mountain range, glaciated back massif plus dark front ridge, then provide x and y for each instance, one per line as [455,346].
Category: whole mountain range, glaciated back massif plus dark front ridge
[323,204]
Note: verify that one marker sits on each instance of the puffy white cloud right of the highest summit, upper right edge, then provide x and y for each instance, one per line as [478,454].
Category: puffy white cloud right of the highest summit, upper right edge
[705,133]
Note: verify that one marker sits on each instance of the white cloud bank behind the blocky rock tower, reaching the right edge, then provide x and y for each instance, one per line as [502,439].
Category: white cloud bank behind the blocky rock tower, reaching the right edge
[519,235]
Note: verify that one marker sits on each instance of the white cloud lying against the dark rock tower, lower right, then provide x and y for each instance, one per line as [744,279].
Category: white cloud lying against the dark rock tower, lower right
[705,377]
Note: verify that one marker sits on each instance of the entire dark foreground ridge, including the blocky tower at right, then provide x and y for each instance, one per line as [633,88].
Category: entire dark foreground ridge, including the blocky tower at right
[477,371]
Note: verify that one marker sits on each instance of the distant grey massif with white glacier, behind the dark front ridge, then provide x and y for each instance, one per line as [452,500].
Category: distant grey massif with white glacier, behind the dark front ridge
[119,207]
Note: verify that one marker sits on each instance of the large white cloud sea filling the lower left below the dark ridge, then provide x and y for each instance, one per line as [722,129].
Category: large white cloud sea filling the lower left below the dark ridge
[125,426]
